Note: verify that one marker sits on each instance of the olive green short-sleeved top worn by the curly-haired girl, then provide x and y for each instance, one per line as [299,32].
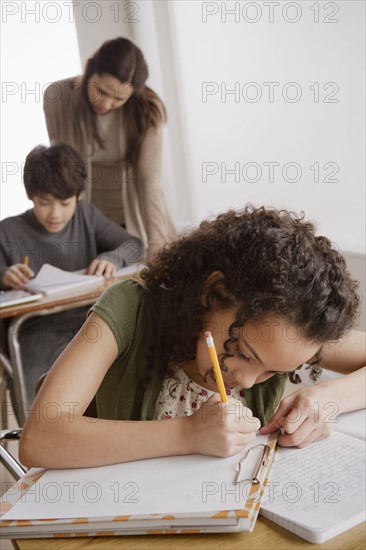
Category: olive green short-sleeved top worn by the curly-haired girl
[137,317]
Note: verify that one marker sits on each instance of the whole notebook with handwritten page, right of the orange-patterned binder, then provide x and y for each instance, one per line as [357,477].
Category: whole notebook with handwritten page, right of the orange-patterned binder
[319,492]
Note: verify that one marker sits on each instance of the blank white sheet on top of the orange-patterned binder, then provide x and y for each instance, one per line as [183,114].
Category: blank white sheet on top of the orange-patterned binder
[170,485]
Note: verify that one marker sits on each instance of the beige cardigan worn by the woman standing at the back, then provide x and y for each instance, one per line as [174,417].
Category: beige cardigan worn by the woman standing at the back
[145,213]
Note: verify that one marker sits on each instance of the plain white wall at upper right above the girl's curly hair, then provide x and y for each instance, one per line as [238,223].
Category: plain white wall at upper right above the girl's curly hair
[231,131]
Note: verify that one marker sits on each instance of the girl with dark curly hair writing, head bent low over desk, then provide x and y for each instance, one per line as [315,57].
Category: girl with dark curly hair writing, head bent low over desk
[274,295]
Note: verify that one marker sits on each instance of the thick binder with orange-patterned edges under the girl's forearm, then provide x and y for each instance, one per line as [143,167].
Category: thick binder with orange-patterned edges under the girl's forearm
[179,494]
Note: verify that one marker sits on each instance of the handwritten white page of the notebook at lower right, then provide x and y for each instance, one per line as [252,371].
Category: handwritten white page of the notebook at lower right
[319,485]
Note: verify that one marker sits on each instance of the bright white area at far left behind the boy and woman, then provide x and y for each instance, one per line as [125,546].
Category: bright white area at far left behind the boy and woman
[39,45]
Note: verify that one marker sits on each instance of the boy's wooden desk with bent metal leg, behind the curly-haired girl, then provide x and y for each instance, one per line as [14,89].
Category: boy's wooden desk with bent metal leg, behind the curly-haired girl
[20,313]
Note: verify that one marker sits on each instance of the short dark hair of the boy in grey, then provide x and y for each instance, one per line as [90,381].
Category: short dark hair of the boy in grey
[57,170]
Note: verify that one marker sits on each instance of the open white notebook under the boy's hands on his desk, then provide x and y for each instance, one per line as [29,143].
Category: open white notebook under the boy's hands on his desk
[53,281]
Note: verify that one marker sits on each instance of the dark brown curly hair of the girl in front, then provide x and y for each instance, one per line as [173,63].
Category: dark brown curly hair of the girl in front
[272,263]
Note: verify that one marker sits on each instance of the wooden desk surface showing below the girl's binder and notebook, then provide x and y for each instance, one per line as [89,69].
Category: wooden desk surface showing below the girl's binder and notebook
[266,536]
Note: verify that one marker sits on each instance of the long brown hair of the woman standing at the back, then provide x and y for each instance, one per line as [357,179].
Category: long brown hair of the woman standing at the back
[144,109]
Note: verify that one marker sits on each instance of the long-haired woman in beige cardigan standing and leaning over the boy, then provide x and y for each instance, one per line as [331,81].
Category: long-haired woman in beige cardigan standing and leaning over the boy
[115,121]
